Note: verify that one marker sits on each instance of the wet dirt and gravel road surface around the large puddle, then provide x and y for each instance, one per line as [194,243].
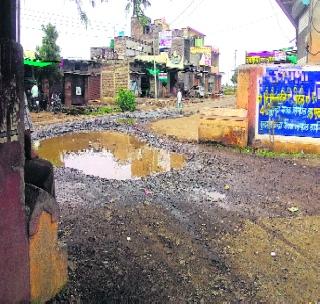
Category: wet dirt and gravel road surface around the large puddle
[217,231]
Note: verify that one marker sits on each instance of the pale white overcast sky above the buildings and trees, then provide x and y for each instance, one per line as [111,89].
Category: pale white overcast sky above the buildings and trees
[233,26]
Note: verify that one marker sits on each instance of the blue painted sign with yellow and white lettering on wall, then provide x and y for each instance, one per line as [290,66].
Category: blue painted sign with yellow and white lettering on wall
[289,102]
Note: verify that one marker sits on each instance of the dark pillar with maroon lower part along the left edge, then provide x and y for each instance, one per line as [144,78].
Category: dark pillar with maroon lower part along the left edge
[14,260]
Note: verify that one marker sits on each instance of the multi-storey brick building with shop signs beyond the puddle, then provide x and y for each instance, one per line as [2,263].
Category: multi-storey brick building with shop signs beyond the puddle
[179,58]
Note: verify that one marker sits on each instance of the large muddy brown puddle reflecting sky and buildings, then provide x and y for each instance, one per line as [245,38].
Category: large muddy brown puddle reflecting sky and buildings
[108,154]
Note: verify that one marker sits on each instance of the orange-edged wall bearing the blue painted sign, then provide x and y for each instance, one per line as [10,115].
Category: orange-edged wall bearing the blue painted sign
[249,97]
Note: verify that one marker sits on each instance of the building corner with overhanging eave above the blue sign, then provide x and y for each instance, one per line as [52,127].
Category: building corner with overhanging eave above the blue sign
[305,17]
